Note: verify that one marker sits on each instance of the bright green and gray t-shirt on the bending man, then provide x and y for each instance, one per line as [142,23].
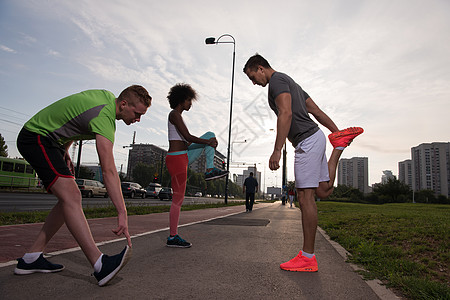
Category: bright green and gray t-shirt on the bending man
[77,117]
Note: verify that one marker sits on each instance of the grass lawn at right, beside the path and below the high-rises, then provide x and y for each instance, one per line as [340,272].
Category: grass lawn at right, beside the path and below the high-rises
[406,246]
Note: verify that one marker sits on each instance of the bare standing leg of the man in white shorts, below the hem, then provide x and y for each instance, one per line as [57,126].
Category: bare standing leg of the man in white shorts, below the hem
[309,218]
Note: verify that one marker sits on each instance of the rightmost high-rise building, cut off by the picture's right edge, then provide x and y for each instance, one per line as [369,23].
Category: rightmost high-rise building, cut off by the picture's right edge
[431,167]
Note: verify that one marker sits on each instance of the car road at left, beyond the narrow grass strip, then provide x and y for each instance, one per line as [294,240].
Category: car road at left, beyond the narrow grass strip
[16,202]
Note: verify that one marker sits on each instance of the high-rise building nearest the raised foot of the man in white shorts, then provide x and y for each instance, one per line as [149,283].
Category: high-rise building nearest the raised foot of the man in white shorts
[354,172]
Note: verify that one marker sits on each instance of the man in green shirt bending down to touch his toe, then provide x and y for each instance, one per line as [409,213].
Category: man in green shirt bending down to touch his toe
[44,142]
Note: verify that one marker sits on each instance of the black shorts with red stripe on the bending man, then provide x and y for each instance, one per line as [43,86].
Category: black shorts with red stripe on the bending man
[45,156]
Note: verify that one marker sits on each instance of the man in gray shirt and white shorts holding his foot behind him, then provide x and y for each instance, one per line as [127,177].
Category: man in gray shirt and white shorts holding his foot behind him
[313,174]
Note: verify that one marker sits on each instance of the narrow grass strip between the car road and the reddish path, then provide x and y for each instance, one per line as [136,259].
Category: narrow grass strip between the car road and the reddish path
[12,218]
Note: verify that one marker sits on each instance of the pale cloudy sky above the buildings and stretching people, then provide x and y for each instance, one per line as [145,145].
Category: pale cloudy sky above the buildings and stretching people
[383,65]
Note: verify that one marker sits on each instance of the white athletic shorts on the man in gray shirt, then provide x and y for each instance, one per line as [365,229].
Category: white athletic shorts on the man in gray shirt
[311,166]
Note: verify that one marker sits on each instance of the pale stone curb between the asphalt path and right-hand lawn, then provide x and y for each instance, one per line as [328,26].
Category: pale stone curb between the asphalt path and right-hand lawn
[376,285]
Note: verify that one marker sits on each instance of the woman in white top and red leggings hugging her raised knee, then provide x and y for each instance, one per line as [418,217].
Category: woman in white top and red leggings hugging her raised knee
[184,149]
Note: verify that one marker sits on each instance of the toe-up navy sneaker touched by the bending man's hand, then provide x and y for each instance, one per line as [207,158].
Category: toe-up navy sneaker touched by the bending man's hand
[112,265]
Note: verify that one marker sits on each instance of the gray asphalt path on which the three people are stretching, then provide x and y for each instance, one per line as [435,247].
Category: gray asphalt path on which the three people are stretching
[235,257]
